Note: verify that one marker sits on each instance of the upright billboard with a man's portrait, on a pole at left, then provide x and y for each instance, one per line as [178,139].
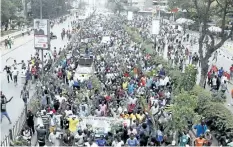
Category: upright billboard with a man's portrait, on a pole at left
[41,33]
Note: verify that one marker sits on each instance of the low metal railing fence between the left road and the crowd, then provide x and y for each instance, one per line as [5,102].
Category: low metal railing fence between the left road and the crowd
[32,105]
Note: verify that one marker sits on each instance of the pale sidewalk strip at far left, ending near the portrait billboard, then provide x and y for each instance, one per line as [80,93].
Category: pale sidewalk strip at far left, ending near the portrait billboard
[17,43]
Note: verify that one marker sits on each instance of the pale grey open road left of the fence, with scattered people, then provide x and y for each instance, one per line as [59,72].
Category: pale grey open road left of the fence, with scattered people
[22,49]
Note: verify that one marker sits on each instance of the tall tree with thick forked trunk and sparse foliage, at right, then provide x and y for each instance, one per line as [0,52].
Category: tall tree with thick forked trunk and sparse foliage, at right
[205,10]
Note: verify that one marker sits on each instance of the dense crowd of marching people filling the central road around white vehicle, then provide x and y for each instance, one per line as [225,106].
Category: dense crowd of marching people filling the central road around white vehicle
[120,89]
